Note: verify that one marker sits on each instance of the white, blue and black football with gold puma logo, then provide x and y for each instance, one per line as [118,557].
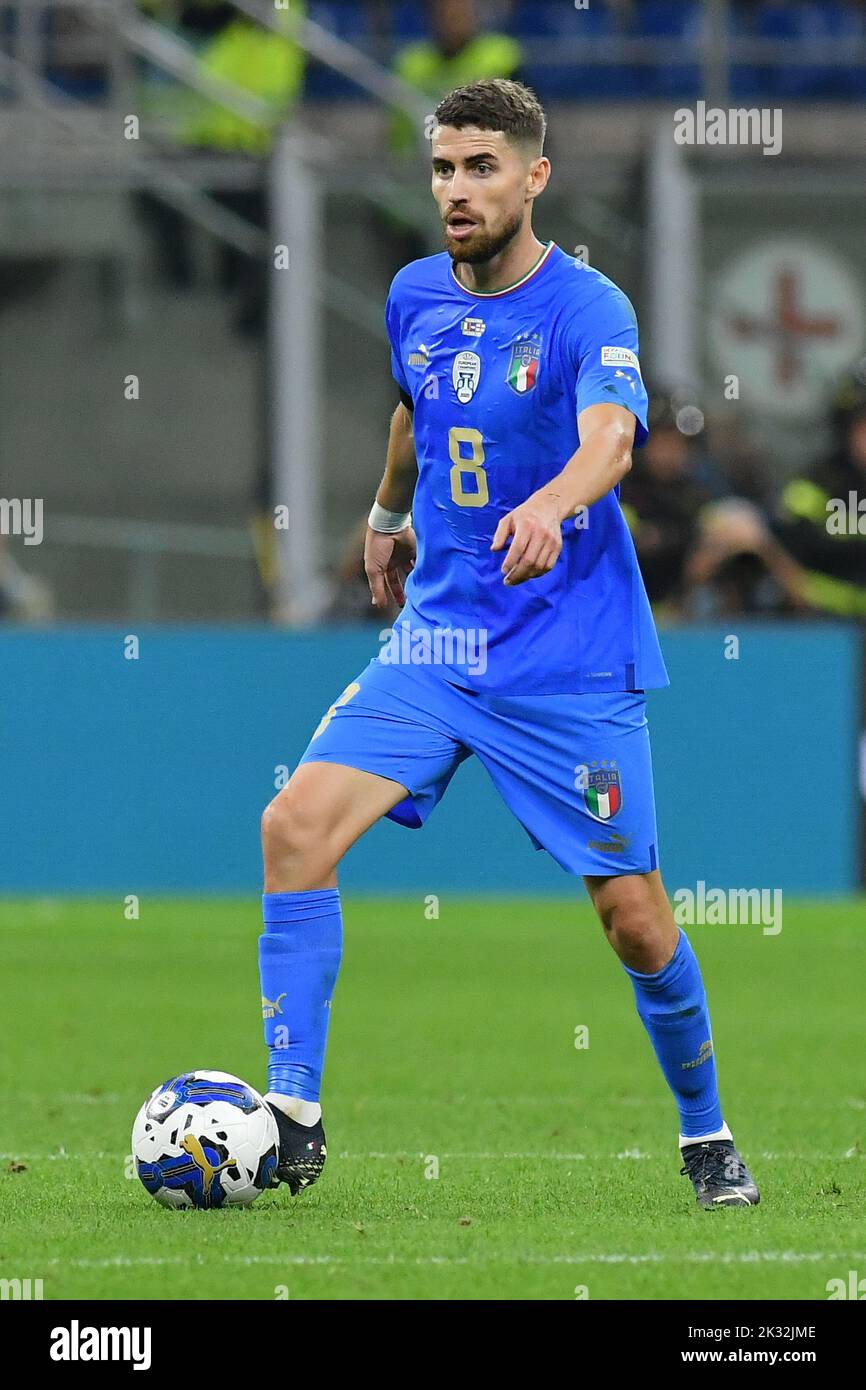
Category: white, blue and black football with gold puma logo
[205,1139]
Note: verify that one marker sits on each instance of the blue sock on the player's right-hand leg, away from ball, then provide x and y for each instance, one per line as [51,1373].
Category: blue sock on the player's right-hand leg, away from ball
[673,1008]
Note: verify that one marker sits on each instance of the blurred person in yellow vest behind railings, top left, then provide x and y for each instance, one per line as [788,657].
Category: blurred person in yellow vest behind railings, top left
[266,65]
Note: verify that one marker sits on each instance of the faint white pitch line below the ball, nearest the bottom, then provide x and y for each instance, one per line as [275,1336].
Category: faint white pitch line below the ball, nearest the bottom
[758,1257]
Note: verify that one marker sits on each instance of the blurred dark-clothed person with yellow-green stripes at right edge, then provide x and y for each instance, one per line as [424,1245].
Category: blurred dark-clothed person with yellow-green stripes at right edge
[821,522]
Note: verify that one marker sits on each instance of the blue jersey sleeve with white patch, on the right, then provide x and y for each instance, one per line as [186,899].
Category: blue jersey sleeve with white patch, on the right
[605,350]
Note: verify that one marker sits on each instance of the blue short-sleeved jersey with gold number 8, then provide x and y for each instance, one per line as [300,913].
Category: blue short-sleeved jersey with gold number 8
[498,382]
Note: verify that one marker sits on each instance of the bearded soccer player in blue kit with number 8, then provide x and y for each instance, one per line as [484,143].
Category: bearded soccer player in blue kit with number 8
[526,636]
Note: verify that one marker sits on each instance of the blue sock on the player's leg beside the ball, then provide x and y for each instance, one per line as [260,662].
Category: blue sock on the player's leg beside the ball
[300,956]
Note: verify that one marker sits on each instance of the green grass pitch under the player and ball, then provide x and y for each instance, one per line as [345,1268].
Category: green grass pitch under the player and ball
[452,1053]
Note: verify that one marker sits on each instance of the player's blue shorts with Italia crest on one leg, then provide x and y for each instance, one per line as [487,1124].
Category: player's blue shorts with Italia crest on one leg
[576,771]
